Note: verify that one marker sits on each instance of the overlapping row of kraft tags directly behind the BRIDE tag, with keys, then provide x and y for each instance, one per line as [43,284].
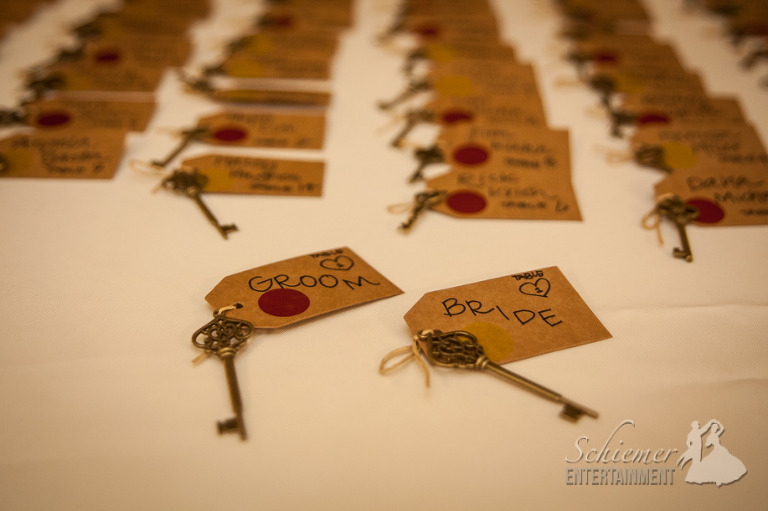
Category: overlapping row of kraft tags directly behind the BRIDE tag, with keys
[503,161]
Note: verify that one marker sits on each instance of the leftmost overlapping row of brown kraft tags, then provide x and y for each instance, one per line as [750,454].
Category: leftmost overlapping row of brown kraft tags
[76,108]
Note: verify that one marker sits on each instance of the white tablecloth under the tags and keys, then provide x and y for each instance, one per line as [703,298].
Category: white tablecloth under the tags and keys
[102,284]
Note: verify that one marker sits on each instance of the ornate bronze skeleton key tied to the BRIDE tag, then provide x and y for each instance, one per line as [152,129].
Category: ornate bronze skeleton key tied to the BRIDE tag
[460,350]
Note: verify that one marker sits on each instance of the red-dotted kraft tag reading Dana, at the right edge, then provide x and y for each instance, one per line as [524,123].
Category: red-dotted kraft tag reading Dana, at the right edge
[726,194]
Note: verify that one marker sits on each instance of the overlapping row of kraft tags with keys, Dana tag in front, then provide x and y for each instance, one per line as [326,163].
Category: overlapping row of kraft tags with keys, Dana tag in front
[712,162]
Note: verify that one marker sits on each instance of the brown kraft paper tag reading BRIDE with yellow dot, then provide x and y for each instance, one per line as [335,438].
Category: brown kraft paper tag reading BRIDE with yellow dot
[514,317]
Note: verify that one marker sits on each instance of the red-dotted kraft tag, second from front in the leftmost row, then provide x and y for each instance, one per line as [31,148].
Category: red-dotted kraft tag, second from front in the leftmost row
[70,113]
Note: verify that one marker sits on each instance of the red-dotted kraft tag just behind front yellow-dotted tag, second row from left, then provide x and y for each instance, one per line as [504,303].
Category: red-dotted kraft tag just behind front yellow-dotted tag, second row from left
[278,129]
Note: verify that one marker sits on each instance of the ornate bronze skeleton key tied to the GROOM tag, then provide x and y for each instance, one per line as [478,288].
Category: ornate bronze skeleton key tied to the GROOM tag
[223,337]
